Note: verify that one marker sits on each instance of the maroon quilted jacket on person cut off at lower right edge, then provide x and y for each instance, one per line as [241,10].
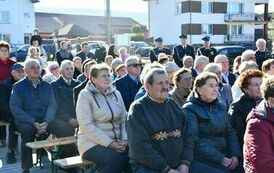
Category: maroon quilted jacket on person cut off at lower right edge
[259,140]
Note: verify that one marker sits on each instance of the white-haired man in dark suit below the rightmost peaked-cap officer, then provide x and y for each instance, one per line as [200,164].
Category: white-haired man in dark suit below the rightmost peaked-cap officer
[227,77]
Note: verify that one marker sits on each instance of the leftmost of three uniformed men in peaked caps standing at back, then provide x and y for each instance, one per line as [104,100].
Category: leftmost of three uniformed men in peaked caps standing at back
[153,53]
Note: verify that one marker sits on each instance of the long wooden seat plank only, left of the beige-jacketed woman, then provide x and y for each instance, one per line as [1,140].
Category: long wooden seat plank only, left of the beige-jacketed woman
[52,142]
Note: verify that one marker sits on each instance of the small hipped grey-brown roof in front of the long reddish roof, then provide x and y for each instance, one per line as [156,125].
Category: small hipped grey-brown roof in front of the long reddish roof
[73,30]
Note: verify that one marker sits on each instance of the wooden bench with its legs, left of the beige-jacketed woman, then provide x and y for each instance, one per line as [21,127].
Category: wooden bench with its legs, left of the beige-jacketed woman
[49,145]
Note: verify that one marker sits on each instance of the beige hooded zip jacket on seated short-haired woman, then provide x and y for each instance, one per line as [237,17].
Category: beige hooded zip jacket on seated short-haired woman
[101,117]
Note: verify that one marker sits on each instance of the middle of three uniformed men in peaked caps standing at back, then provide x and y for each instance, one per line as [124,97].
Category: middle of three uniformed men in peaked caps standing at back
[180,51]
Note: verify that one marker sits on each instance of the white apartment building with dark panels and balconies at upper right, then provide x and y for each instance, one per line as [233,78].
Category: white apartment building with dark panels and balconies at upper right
[225,21]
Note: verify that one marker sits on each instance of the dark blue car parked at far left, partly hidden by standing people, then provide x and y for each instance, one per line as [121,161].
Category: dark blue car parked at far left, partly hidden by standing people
[21,53]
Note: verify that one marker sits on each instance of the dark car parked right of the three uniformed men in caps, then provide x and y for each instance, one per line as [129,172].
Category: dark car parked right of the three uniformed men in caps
[230,51]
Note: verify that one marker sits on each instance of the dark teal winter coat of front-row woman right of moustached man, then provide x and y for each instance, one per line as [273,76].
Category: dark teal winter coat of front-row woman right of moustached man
[213,135]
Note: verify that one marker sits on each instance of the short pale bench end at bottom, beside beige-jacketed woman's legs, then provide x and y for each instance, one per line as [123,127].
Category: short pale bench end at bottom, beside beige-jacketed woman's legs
[71,162]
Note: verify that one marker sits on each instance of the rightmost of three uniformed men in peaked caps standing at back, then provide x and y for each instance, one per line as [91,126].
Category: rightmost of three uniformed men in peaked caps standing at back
[207,50]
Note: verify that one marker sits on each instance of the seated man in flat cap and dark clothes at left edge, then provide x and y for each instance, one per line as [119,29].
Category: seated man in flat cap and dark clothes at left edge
[17,73]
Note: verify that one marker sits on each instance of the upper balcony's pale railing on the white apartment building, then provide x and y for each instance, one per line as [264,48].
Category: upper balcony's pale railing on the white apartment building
[240,17]
